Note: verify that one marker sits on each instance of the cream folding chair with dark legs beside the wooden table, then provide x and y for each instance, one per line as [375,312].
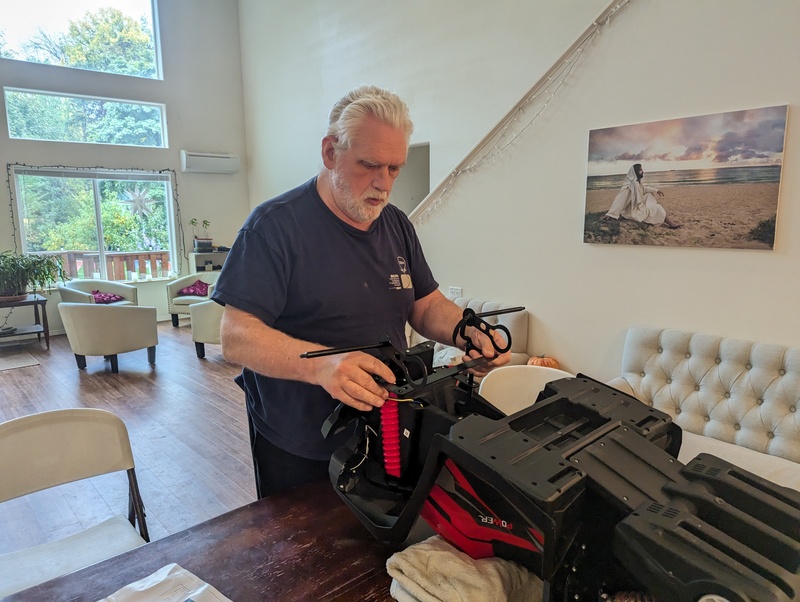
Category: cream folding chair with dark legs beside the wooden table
[51,449]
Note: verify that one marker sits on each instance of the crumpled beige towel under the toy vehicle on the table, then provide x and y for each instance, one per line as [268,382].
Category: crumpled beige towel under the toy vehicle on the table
[435,571]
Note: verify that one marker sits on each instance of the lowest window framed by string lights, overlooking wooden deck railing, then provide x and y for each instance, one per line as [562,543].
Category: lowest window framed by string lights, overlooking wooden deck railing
[113,225]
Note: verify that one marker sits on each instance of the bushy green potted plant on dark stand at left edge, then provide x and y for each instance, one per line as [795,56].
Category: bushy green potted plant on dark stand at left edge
[21,273]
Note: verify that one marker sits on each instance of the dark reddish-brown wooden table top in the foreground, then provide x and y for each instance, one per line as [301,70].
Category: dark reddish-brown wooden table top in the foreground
[301,545]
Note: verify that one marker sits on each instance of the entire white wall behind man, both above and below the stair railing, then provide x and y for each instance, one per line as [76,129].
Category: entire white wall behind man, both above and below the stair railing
[512,231]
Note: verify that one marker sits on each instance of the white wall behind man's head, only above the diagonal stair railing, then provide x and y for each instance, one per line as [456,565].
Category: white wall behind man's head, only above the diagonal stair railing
[459,65]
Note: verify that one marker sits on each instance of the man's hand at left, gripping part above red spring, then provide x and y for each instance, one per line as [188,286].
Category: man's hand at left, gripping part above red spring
[349,377]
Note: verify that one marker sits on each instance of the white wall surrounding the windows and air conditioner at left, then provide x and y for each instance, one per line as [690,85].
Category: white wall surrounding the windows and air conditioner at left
[202,90]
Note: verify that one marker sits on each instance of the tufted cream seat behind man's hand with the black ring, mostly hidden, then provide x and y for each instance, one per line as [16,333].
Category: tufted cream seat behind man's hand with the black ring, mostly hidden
[517,324]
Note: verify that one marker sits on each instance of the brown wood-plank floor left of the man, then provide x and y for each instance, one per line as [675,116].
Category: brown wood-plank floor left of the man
[187,425]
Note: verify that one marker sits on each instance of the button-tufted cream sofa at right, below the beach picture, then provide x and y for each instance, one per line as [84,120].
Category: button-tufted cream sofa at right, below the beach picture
[734,399]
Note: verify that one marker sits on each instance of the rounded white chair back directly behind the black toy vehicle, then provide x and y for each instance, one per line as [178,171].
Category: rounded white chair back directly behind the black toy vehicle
[513,388]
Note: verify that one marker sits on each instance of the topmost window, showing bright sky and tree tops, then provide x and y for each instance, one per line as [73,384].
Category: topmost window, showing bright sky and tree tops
[112,36]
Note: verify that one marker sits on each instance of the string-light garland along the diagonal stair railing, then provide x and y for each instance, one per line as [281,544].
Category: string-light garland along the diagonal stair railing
[513,125]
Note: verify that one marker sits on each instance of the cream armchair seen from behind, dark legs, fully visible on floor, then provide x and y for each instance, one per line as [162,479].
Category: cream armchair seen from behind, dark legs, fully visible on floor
[108,330]
